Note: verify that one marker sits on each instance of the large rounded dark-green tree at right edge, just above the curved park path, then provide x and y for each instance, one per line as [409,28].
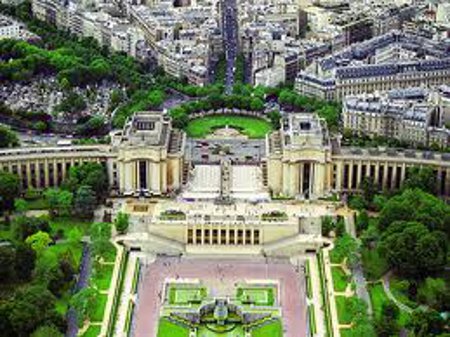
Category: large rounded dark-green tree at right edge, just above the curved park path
[413,250]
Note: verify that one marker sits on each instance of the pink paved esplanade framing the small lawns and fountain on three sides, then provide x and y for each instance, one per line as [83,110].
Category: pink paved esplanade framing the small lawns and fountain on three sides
[227,271]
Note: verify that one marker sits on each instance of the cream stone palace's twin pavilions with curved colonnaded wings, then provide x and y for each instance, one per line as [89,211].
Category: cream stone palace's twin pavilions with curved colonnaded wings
[148,158]
